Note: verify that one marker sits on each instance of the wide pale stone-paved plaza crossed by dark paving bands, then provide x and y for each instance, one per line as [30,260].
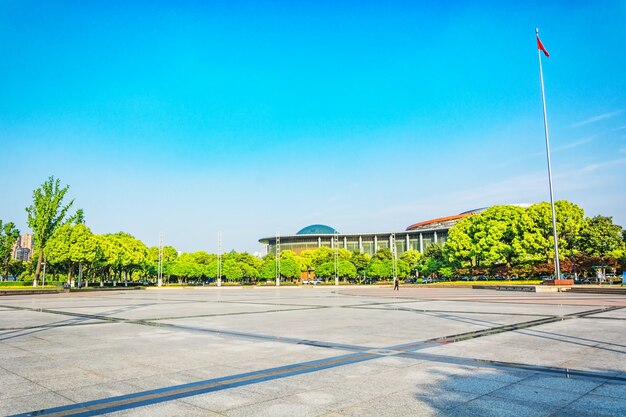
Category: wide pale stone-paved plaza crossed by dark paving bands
[313,351]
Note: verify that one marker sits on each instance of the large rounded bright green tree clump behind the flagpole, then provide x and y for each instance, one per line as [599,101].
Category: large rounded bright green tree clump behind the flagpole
[514,240]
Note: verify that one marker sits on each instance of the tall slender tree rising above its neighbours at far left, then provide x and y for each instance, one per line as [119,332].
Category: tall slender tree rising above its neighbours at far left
[46,214]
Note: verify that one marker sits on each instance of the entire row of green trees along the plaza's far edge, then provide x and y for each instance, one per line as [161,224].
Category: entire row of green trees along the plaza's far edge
[504,240]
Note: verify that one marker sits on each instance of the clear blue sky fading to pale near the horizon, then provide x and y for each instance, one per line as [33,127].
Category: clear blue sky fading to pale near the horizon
[252,118]
